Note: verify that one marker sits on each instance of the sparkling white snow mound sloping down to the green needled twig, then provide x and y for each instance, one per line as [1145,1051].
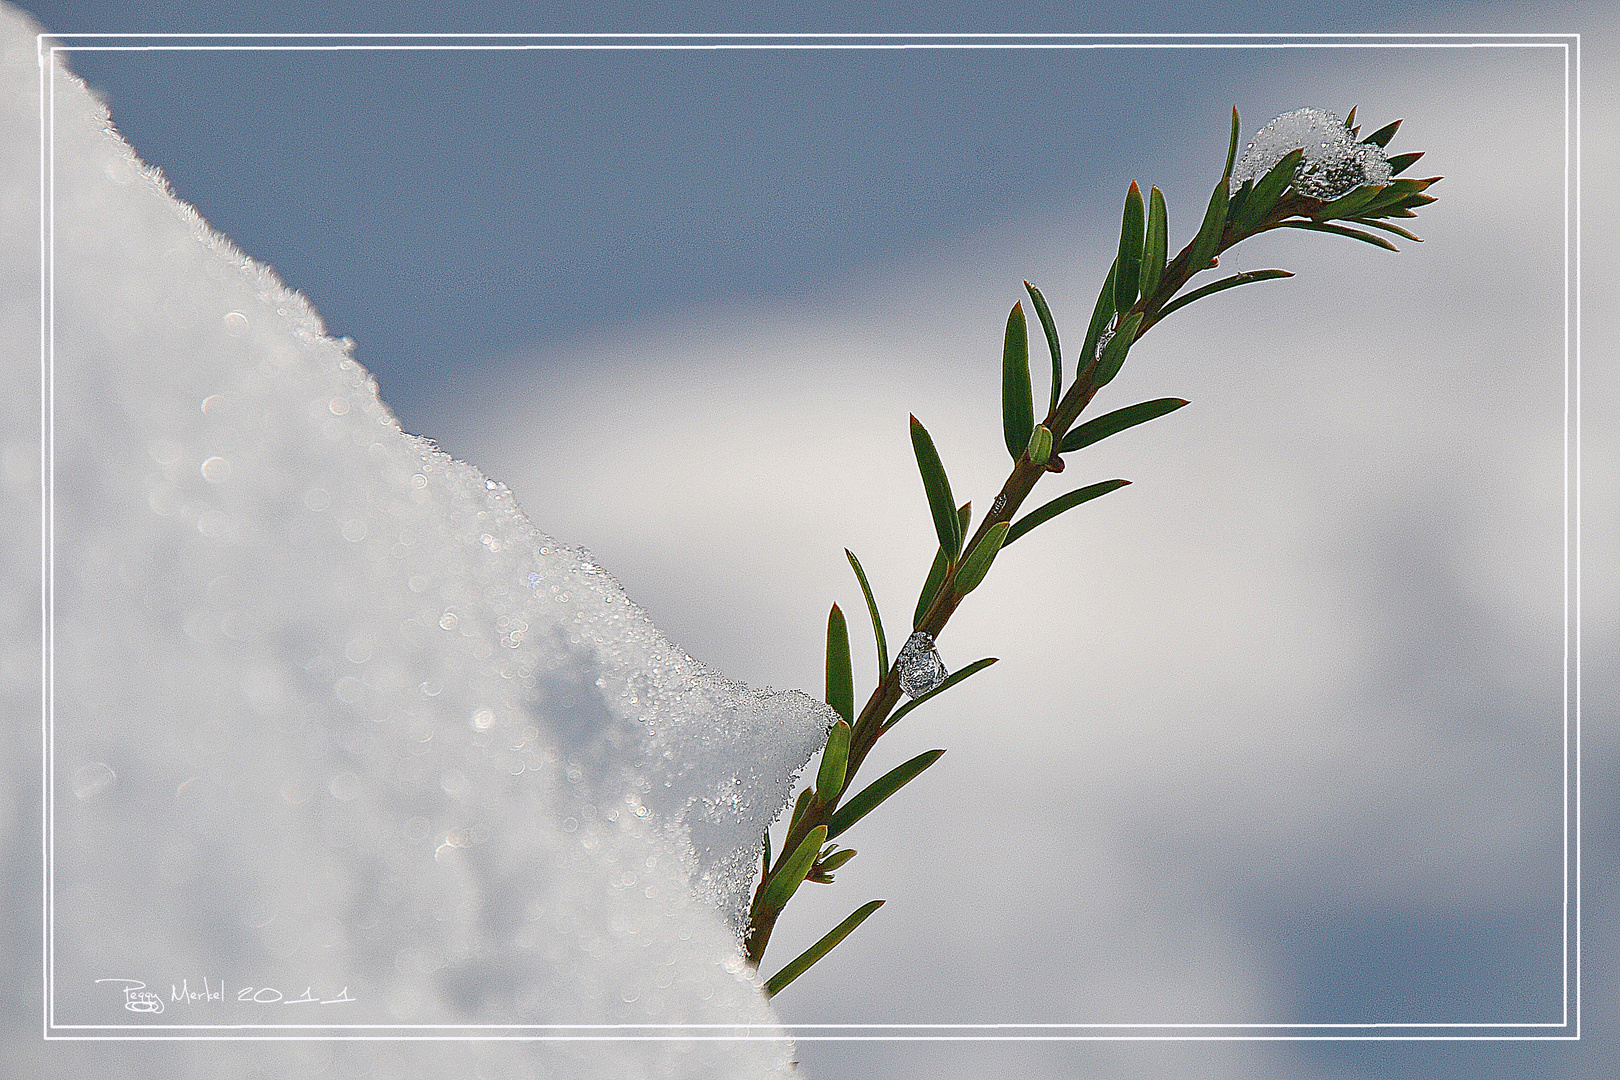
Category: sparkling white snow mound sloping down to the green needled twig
[331,715]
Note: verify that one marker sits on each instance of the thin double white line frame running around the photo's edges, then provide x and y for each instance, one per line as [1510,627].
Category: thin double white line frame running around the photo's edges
[1571,45]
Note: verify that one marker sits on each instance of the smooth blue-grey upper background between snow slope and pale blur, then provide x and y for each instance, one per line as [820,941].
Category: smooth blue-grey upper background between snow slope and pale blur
[453,211]
